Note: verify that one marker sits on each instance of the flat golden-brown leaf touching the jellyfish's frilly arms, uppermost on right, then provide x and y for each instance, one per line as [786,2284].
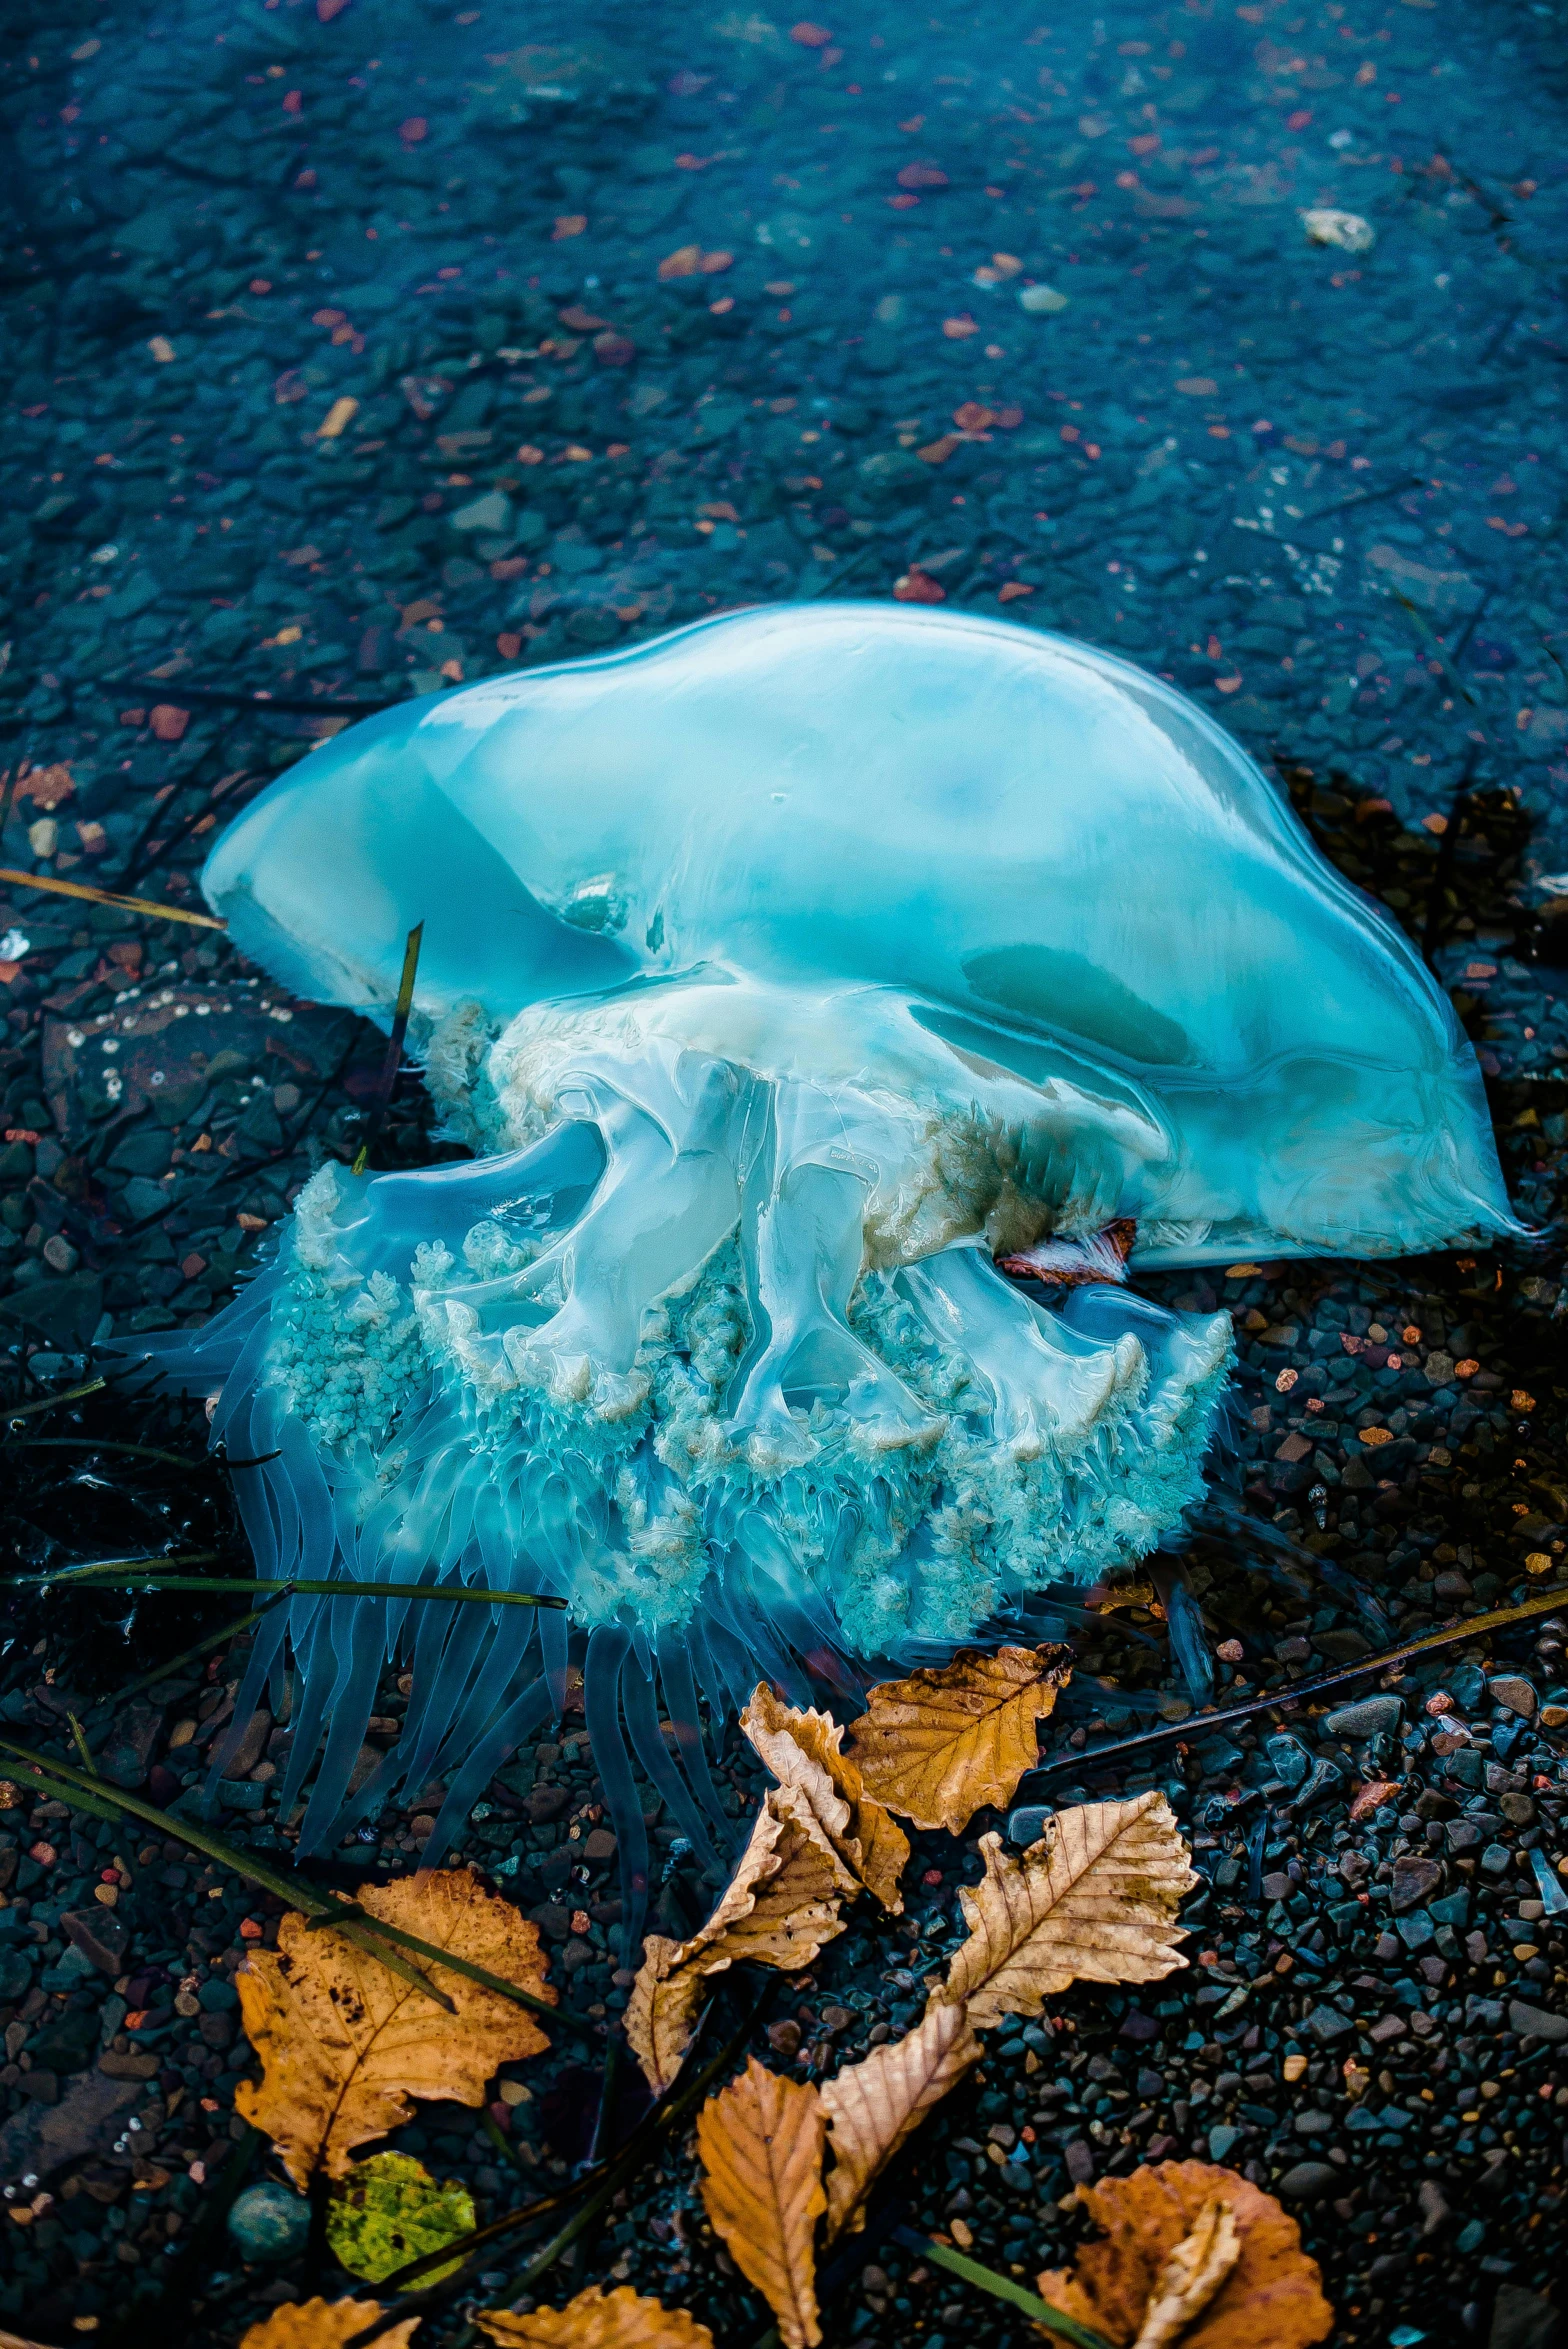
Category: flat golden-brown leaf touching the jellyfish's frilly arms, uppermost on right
[942,1744]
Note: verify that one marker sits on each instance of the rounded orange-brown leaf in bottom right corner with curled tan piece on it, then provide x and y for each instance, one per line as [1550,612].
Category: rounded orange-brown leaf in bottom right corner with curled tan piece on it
[1158,2226]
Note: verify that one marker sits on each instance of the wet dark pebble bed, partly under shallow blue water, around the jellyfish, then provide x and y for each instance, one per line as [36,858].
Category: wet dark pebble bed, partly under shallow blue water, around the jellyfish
[358,354]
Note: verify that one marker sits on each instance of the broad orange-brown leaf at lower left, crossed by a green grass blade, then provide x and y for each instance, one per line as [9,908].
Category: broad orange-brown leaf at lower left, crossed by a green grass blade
[346,2045]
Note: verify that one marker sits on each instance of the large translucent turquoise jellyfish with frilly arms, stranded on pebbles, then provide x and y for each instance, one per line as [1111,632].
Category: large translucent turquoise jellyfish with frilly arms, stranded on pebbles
[839,1004]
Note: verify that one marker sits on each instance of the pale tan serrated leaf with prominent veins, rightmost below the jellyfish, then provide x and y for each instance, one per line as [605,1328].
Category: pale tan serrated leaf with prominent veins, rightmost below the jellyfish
[1093,1902]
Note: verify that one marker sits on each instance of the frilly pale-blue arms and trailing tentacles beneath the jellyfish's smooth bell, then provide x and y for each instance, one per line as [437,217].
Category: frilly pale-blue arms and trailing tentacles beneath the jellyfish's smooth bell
[717,1354]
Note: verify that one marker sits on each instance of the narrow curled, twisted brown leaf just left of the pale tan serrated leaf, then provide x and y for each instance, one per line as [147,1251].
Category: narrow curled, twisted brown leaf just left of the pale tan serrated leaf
[778,1911]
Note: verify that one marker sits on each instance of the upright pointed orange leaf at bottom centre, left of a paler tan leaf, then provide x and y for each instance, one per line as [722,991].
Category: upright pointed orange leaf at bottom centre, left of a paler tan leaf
[762,2188]
